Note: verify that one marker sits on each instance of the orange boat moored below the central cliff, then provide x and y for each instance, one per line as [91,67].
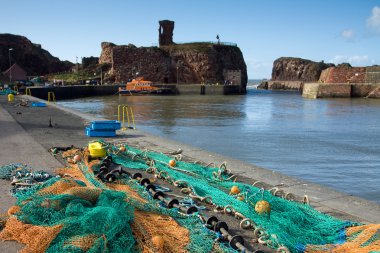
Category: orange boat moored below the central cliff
[139,86]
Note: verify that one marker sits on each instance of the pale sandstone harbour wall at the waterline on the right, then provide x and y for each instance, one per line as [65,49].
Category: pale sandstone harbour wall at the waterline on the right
[340,90]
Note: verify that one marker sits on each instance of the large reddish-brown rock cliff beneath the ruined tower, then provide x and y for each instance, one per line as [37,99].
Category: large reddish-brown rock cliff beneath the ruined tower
[182,63]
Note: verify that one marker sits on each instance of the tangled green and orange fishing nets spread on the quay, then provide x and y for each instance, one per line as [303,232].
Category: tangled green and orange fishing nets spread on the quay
[77,212]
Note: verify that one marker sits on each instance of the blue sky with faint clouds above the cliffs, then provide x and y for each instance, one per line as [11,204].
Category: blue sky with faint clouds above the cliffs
[334,31]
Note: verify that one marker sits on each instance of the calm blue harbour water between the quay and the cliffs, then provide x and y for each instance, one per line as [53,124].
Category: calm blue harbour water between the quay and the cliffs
[333,142]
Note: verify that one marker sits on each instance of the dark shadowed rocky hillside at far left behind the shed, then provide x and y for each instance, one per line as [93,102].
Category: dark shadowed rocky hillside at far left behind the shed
[31,57]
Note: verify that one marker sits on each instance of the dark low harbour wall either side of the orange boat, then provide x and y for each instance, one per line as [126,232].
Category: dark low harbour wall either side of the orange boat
[71,92]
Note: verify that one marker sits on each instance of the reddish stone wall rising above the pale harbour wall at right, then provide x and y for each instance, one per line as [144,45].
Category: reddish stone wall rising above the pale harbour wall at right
[344,74]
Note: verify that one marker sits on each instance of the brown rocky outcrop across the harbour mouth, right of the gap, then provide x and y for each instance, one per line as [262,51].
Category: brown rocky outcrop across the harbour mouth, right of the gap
[297,69]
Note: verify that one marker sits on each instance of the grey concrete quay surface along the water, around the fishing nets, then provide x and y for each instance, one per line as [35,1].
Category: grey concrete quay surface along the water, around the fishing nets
[26,137]
